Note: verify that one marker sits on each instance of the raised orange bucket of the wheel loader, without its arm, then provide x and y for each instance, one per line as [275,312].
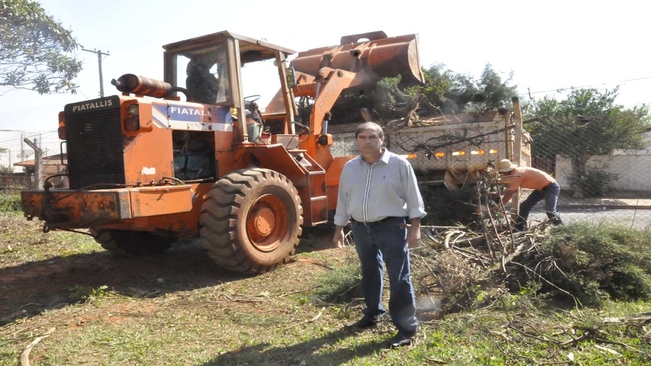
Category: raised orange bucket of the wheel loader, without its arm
[375,53]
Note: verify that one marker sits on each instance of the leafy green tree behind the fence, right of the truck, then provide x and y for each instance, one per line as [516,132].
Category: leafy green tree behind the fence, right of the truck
[587,123]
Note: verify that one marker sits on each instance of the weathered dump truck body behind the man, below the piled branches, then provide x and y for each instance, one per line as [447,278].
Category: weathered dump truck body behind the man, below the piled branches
[454,149]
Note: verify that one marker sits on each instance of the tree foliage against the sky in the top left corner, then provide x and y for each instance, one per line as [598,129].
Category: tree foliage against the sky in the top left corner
[35,50]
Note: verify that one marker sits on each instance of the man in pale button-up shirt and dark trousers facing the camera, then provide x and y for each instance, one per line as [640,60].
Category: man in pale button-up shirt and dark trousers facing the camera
[378,192]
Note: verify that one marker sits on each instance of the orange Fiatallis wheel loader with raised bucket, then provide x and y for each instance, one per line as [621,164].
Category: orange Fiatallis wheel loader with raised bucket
[192,156]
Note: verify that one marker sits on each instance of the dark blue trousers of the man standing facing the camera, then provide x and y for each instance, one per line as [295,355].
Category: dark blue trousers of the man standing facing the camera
[386,242]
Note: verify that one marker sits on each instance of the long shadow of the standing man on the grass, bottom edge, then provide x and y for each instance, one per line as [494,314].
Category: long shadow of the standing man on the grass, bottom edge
[304,353]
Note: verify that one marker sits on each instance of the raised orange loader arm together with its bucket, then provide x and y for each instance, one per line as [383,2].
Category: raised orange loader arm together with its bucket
[358,63]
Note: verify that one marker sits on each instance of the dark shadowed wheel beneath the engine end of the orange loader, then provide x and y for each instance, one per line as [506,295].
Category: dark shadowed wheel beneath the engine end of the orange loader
[140,243]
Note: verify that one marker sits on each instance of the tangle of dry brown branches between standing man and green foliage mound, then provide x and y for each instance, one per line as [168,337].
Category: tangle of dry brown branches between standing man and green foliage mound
[487,255]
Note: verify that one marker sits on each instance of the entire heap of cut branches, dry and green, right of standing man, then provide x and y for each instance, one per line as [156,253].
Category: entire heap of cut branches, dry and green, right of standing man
[490,265]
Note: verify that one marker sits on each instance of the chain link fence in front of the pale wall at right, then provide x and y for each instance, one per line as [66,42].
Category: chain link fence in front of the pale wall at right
[602,168]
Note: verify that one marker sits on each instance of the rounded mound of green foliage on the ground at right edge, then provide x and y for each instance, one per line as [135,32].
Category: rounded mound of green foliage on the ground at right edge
[596,263]
